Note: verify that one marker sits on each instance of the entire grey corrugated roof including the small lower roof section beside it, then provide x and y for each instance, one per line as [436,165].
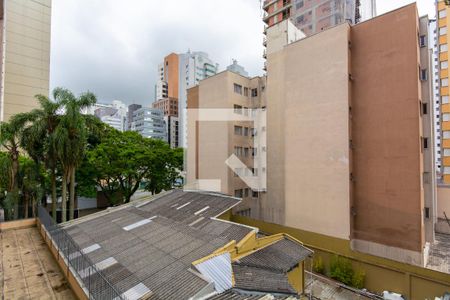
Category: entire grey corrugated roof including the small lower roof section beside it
[173,247]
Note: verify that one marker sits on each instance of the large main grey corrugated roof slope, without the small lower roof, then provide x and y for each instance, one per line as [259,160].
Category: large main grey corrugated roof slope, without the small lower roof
[158,252]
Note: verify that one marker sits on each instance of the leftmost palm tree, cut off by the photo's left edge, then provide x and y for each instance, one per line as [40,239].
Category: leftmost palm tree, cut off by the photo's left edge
[10,133]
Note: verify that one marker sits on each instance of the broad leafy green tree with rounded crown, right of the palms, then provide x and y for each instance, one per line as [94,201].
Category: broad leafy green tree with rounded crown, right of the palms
[123,161]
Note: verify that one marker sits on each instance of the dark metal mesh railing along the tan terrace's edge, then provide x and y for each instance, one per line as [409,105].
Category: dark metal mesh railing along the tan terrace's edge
[94,281]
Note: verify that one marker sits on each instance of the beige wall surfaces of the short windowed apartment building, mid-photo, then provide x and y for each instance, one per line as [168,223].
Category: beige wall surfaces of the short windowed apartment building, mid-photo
[213,141]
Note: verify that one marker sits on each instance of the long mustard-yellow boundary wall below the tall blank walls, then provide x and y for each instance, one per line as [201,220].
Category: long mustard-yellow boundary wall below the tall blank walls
[381,274]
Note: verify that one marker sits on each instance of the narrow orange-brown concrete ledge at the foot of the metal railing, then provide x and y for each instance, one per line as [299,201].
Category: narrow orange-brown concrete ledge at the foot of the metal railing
[77,289]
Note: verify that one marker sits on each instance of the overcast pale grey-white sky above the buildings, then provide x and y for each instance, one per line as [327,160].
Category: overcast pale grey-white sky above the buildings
[113,47]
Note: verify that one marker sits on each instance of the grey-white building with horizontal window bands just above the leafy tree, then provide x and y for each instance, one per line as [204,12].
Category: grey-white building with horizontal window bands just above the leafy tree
[149,122]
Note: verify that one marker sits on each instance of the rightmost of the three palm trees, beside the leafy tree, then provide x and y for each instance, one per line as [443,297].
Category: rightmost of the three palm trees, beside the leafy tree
[71,140]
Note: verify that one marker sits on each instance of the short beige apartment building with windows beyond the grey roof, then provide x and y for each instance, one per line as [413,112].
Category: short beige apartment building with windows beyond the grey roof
[214,141]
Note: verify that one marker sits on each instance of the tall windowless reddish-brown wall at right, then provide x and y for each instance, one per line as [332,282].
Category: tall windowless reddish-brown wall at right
[387,154]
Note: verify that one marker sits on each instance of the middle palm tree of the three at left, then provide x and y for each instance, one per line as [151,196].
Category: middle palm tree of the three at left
[39,141]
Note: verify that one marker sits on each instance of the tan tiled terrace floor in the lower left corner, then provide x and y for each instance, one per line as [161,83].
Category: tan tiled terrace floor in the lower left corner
[27,268]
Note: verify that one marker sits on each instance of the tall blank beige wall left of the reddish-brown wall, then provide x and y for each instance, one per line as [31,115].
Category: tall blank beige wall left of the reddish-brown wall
[308,135]
